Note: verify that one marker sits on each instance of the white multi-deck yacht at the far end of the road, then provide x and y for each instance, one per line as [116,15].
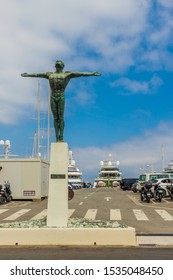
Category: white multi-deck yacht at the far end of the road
[109,174]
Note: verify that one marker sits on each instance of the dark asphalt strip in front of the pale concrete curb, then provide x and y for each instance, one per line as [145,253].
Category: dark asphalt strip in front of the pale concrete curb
[85,253]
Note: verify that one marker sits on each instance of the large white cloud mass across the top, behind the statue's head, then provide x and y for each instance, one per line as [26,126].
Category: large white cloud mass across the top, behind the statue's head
[86,34]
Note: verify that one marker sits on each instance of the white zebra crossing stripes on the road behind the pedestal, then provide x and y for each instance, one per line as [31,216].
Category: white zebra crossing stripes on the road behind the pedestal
[114,214]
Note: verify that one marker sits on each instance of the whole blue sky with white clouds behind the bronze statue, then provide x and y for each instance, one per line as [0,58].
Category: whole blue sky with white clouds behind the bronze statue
[127,111]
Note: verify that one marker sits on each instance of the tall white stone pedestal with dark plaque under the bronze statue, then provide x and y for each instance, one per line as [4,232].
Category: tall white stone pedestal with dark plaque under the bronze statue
[57,212]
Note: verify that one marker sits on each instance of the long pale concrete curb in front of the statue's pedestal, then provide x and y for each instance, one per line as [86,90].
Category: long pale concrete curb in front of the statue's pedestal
[68,236]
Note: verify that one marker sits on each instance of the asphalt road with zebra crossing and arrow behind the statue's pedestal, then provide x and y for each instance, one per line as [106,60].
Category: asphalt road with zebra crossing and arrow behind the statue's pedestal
[102,204]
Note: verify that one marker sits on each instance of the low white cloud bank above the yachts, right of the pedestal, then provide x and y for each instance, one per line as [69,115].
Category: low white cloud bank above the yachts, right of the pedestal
[133,154]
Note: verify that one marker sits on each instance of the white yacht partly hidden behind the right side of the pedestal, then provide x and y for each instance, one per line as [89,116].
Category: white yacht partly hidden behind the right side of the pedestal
[74,173]
